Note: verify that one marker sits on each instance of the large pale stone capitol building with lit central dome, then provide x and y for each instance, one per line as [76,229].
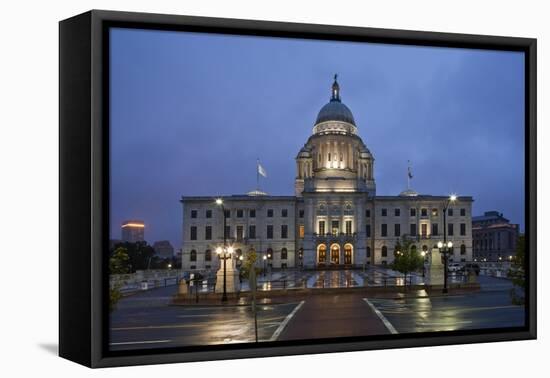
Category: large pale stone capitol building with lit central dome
[335,217]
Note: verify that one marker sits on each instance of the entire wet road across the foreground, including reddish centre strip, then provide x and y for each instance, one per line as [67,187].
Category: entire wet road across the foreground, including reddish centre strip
[147,320]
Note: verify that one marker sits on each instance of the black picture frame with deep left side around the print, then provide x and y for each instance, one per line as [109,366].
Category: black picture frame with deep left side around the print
[84,186]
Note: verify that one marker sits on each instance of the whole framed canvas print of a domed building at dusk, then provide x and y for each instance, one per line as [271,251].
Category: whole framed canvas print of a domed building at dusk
[234,188]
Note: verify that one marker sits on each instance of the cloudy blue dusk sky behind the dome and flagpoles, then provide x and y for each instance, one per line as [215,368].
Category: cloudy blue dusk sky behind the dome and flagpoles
[191,113]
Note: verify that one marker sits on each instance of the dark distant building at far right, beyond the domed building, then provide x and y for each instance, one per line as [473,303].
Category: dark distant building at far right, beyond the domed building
[494,237]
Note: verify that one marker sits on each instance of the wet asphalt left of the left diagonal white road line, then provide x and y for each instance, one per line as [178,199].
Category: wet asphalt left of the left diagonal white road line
[146,320]
